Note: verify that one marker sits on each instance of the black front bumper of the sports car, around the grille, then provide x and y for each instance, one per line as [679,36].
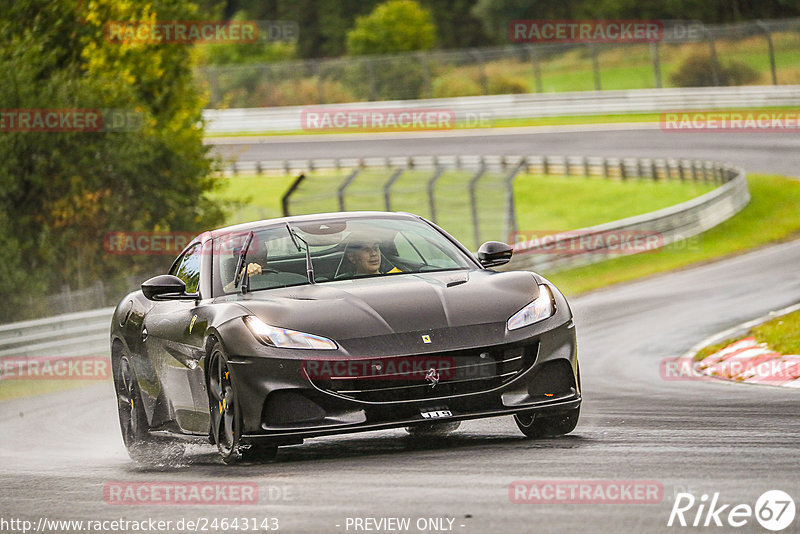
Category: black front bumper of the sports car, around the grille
[280,403]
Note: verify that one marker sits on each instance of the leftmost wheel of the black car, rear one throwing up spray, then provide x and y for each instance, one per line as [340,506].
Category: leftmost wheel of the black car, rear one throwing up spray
[142,447]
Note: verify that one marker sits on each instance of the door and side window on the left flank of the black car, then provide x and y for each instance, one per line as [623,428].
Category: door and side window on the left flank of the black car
[174,330]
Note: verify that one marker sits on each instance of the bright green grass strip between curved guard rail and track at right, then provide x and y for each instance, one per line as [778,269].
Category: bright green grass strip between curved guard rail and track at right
[771,216]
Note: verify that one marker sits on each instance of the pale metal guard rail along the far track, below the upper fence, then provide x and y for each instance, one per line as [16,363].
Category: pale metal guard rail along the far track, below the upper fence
[479,109]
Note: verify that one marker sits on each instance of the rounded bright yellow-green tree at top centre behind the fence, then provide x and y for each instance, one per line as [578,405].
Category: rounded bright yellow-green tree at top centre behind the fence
[395,26]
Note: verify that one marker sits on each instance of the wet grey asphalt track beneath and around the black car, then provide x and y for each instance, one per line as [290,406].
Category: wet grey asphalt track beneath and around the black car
[57,451]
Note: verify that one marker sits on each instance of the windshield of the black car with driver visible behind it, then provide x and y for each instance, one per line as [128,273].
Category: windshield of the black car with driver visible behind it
[341,249]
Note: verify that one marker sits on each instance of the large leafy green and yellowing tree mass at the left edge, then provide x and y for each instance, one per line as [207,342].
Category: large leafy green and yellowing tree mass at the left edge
[61,192]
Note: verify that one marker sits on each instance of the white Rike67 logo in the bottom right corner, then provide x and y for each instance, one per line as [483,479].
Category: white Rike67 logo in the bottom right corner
[774,510]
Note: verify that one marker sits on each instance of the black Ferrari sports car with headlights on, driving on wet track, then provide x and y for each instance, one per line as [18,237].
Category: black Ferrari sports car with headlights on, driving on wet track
[267,333]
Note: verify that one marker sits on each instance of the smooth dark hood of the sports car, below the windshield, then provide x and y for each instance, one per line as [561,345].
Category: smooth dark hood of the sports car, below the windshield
[395,304]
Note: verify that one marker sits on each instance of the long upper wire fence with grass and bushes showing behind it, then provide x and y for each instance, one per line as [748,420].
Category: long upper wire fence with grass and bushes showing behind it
[689,54]
